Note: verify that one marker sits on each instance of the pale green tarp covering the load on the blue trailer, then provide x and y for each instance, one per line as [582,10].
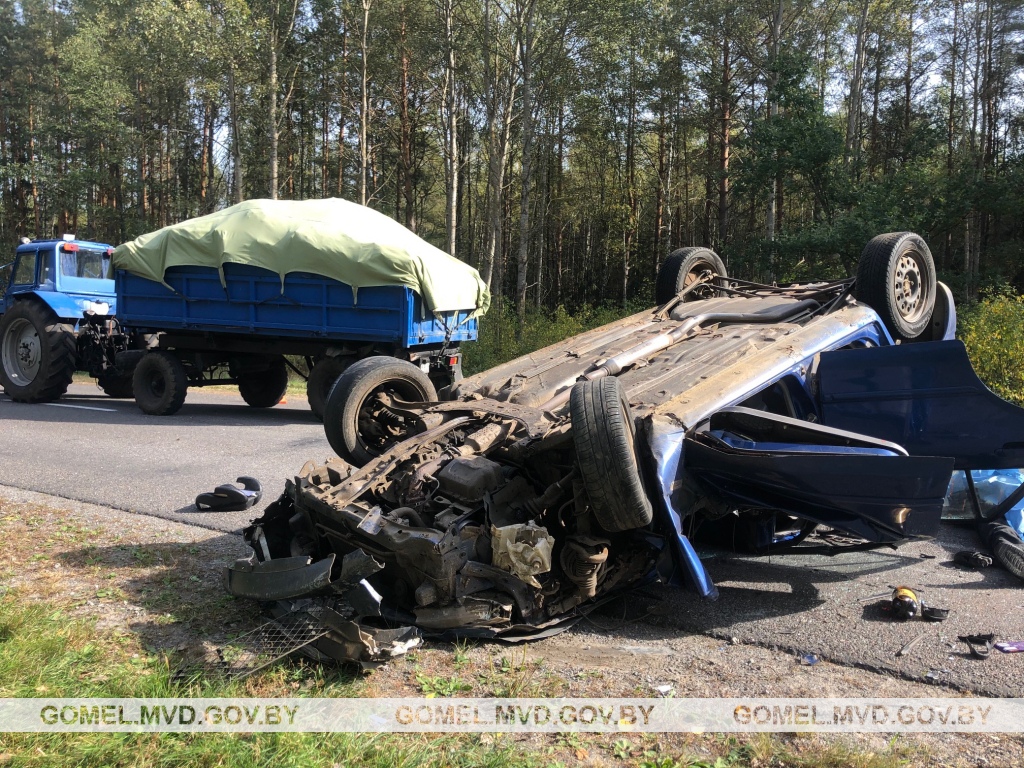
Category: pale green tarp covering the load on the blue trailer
[333,238]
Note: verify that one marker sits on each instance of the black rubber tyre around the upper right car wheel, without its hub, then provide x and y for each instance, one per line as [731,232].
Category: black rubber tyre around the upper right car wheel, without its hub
[877,277]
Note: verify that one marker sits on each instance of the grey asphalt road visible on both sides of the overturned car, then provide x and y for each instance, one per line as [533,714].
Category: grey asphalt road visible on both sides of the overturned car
[94,449]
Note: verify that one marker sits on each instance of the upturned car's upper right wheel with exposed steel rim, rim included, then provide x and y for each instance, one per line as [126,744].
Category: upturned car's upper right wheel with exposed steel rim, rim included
[897,279]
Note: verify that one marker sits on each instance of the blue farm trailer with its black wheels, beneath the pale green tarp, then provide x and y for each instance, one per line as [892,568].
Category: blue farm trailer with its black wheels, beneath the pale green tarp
[203,330]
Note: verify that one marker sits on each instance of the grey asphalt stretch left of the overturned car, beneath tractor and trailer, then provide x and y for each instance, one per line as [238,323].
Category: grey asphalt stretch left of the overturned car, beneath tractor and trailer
[95,449]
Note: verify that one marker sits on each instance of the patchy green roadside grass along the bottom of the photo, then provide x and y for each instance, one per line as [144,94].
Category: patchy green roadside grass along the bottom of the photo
[47,653]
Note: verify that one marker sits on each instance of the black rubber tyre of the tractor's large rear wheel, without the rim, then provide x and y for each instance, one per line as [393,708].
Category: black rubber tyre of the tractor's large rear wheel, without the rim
[57,360]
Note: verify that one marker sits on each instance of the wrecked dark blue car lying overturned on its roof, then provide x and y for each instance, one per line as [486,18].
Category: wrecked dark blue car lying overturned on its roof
[534,491]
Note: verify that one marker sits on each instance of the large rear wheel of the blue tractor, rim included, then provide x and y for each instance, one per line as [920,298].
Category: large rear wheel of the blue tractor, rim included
[37,354]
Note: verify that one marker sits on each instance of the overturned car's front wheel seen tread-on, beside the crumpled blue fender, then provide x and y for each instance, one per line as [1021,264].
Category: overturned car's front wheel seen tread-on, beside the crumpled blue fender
[605,437]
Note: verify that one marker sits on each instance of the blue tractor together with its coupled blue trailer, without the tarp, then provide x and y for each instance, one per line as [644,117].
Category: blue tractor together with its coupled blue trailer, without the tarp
[205,326]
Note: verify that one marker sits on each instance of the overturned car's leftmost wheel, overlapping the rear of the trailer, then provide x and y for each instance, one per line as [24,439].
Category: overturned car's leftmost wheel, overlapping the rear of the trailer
[358,429]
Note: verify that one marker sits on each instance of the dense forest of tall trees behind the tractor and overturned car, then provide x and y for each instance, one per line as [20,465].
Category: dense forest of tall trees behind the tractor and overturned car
[563,148]
